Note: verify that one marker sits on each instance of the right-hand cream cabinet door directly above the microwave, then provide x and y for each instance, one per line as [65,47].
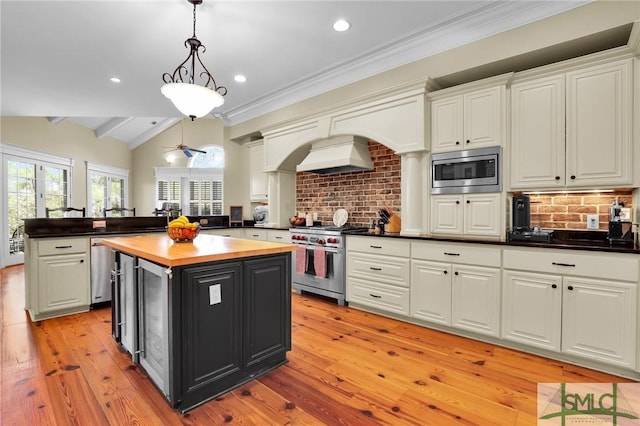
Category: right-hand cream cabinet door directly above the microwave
[483,118]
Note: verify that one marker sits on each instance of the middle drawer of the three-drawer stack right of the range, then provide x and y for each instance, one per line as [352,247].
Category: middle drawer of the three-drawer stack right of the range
[389,269]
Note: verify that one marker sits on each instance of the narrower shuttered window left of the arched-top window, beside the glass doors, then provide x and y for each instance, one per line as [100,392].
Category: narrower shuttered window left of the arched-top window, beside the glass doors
[107,188]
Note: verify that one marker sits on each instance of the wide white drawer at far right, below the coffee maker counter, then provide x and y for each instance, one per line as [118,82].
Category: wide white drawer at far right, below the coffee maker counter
[567,262]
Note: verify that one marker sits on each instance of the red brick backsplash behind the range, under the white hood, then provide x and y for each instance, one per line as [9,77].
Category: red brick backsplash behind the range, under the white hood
[361,194]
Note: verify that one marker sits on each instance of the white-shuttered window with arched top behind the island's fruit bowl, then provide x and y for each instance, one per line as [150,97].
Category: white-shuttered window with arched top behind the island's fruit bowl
[197,189]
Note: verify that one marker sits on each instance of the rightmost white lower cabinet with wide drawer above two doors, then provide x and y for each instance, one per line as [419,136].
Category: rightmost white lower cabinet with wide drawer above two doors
[557,308]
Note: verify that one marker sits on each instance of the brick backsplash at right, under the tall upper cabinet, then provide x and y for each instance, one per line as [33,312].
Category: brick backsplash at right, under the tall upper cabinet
[569,211]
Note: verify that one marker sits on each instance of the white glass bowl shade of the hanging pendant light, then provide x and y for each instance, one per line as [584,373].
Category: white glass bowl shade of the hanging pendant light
[192,100]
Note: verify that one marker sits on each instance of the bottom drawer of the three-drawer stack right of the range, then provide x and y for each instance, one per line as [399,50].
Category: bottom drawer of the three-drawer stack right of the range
[384,297]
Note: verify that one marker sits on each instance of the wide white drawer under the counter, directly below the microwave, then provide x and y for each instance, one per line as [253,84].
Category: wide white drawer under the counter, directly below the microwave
[482,255]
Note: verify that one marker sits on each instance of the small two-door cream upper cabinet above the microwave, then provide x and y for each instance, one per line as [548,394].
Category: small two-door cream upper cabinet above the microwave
[468,120]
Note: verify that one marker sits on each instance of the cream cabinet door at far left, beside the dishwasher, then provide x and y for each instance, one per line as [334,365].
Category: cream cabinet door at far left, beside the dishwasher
[63,282]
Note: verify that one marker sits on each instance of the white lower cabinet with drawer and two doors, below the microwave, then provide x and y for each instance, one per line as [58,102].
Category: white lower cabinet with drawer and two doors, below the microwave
[459,292]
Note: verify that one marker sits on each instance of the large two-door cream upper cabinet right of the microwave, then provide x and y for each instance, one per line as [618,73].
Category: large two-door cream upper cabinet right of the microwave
[573,129]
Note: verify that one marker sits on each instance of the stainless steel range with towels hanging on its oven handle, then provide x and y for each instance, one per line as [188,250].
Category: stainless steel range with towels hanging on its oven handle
[319,263]
